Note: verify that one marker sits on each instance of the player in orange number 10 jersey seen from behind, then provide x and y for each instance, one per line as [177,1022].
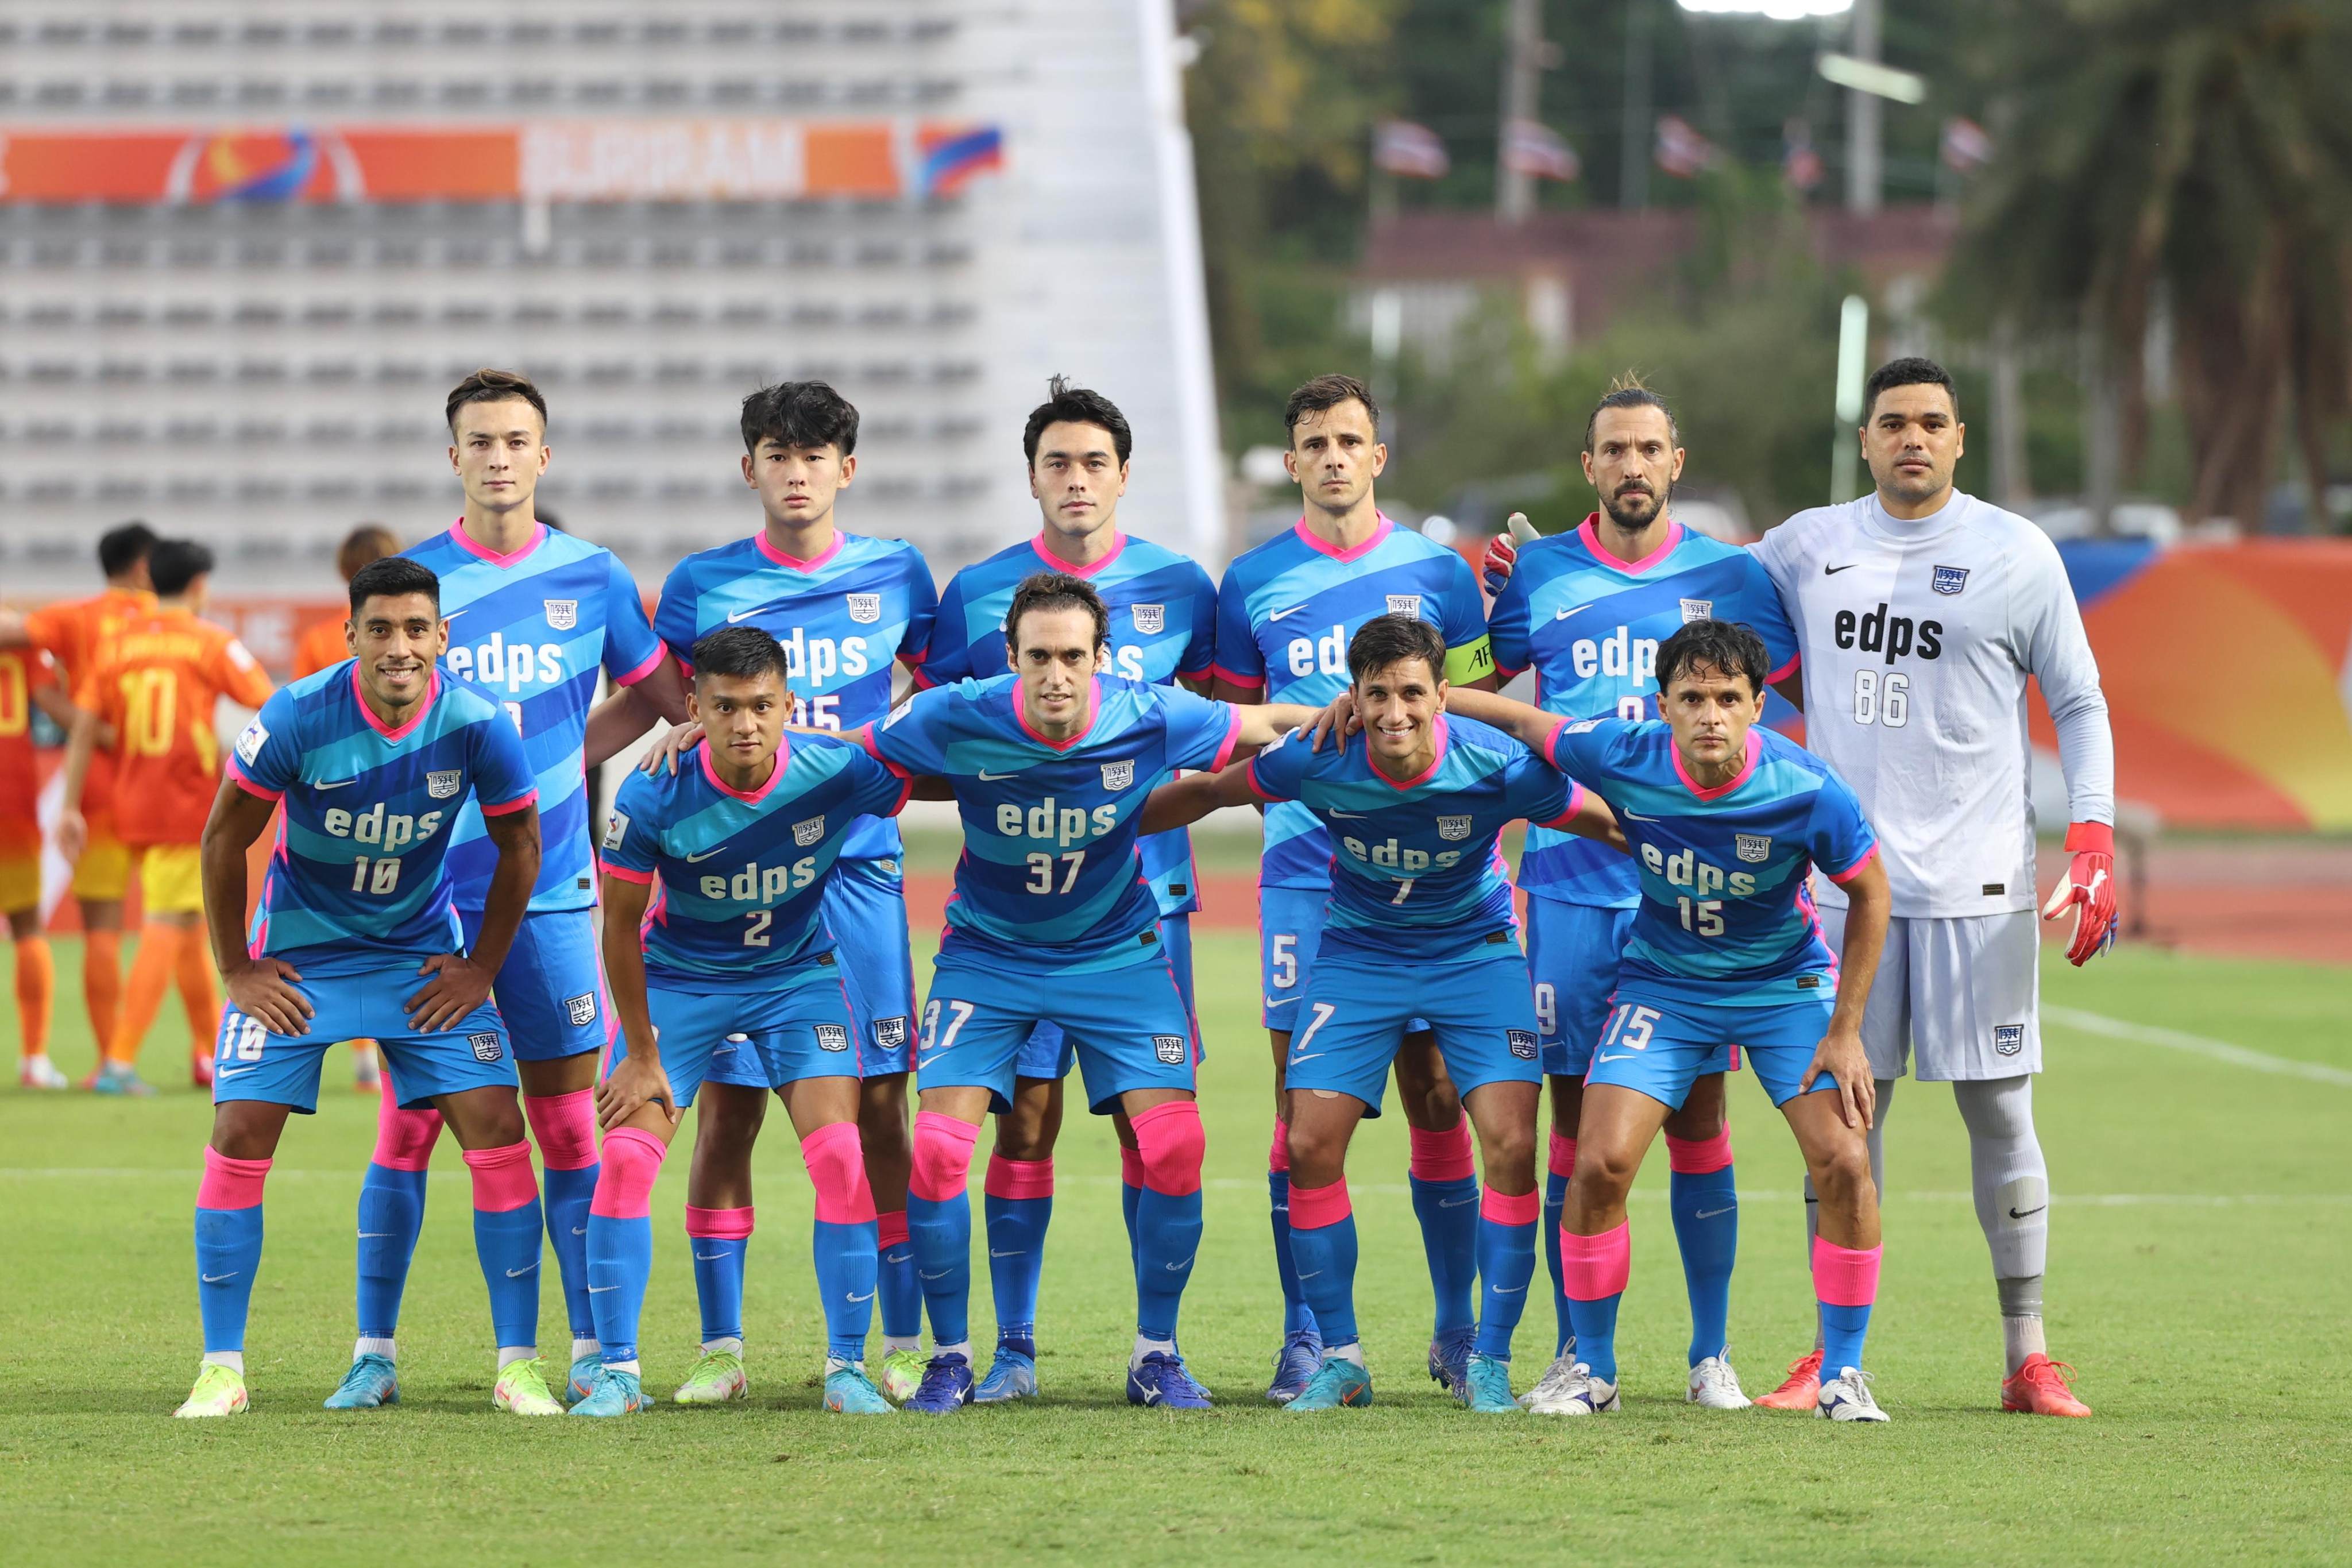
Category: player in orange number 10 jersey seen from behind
[159,688]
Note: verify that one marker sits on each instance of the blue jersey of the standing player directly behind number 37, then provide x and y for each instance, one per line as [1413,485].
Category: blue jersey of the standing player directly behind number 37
[1163,629]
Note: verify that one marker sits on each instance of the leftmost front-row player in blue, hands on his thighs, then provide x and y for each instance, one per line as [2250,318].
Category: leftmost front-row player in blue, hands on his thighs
[375,763]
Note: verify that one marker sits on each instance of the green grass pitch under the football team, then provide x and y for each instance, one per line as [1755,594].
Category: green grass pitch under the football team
[2200,1282]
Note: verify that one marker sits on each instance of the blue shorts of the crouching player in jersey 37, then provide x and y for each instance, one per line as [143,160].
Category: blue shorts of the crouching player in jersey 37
[1128,1028]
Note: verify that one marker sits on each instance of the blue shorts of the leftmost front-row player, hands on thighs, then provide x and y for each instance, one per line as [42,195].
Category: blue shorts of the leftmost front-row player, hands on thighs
[250,1064]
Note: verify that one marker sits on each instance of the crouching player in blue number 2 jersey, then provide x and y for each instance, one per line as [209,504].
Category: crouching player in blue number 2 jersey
[730,965]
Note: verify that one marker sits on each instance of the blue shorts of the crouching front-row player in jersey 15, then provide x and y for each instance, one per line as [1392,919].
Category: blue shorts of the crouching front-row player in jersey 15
[1662,1045]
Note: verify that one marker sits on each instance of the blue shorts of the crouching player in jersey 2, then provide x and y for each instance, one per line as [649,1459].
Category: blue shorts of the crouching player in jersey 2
[754,1038]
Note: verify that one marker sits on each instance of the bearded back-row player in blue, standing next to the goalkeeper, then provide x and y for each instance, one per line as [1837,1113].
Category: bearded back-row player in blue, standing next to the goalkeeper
[1586,612]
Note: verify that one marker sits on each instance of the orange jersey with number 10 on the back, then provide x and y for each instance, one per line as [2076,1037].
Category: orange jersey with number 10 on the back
[159,685]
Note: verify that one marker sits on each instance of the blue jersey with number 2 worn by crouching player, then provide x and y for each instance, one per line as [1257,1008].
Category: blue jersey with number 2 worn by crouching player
[744,873]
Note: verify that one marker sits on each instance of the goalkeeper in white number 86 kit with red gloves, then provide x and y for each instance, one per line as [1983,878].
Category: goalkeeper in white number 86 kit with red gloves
[1923,612]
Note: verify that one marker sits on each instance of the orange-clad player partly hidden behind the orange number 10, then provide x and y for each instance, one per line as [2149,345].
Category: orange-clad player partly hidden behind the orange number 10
[76,634]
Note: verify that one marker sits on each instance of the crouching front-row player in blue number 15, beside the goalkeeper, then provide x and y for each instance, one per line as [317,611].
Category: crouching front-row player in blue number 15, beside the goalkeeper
[1725,822]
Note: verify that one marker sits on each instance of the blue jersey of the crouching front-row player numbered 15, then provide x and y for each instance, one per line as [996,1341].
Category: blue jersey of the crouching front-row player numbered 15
[1725,913]
